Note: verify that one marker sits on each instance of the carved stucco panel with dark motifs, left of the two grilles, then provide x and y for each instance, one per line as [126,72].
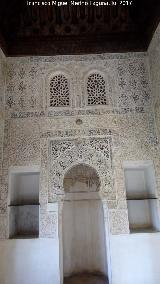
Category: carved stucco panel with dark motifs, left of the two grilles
[24,90]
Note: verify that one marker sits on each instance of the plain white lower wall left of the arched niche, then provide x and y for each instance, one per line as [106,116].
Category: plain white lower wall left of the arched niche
[29,261]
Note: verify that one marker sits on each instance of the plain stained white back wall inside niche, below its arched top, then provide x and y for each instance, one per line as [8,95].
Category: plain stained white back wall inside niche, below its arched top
[83,237]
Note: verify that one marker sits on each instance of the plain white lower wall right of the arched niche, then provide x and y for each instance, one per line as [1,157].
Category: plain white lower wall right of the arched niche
[135,258]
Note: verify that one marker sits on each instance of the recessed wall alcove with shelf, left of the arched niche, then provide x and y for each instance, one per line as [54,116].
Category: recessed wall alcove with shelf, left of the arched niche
[23,202]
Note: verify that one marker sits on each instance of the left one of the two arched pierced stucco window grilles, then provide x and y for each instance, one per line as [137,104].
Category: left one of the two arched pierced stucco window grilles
[59,91]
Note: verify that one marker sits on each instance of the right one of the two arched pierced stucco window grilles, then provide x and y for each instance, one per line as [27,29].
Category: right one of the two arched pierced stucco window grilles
[96,90]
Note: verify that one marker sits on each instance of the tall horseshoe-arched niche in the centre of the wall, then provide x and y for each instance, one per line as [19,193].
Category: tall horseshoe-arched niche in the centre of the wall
[83,229]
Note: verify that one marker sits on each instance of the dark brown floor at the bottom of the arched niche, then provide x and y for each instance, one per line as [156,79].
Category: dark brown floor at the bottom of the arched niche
[86,279]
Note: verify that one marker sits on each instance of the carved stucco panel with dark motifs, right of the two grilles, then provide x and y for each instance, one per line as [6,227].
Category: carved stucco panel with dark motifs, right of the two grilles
[134,89]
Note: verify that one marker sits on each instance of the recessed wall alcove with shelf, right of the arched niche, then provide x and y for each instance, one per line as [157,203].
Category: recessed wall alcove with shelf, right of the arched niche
[142,202]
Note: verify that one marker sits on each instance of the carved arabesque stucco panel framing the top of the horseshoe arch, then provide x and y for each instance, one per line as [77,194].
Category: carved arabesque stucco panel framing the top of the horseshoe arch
[94,152]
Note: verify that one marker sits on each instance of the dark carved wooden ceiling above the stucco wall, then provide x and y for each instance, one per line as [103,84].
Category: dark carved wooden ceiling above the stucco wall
[69,29]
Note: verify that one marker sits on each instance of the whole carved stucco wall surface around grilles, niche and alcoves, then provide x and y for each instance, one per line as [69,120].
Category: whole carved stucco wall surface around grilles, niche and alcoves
[37,134]
